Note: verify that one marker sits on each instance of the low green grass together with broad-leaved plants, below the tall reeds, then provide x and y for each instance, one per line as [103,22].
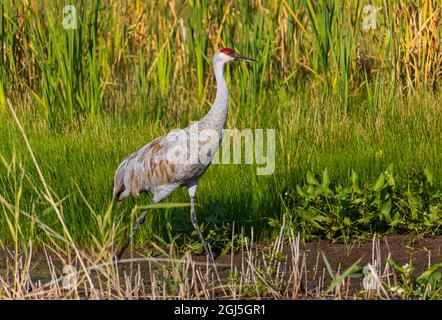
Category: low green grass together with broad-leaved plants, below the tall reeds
[382,173]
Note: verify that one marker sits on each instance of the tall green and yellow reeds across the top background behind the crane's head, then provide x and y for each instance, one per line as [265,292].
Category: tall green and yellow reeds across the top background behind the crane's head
[150,53]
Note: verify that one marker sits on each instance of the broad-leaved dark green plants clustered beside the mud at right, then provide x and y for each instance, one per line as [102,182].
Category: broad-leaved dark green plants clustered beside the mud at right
[330,210]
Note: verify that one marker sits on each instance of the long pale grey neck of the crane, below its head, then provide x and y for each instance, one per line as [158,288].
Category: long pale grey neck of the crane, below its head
[218,113]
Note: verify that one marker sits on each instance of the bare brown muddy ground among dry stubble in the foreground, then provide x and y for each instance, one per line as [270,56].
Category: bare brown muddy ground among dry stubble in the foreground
[420,253]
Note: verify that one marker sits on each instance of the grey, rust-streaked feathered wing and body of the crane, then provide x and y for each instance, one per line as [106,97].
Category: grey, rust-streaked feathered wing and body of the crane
[160,166]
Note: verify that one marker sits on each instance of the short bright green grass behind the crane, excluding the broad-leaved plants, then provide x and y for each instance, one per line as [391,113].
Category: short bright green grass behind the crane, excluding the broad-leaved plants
[311,134]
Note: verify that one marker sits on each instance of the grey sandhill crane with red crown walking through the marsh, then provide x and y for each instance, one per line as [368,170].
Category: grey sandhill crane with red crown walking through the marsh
[177,158]
